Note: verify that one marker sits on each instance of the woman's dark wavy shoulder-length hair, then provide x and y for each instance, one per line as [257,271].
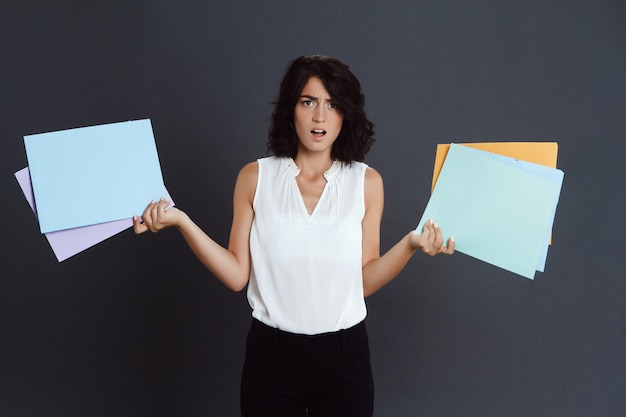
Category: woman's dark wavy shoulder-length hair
[357,132]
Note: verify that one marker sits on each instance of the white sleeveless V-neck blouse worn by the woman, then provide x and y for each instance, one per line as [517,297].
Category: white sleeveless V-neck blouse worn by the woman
[306,274]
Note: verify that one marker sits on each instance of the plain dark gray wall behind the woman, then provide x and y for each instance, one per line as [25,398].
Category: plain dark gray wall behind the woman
[136,326]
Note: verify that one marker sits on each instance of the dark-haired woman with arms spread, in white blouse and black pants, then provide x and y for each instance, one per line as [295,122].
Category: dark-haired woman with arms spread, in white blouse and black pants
[305,240]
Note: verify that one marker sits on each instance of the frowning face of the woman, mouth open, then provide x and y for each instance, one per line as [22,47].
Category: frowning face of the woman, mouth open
[316,118]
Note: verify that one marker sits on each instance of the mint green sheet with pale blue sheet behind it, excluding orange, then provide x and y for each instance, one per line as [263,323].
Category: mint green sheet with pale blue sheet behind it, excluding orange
[499,210]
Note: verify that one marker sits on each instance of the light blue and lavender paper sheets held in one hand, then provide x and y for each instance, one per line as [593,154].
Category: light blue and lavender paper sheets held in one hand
[86,184]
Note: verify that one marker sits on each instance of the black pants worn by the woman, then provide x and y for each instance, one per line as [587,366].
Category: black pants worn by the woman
[293,375]
